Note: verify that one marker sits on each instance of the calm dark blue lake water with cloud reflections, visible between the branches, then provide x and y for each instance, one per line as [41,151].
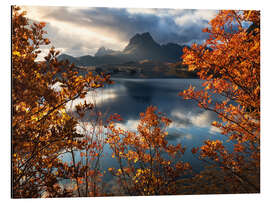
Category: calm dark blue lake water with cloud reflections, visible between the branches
[128,97]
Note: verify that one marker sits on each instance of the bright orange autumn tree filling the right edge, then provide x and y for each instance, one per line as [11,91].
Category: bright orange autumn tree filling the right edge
[229,63]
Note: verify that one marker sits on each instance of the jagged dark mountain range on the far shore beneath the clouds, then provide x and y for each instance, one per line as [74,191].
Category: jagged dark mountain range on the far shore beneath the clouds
[140,47]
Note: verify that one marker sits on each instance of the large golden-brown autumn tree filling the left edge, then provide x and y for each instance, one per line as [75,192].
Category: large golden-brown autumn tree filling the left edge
[42,130]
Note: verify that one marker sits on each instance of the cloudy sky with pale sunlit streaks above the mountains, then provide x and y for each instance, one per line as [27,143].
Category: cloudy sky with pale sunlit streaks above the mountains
[83,30]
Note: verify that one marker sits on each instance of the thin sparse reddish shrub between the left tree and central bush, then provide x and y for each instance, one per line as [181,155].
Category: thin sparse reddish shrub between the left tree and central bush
[88,165]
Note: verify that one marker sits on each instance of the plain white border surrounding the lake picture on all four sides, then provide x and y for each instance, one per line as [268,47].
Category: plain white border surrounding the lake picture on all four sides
[190,4]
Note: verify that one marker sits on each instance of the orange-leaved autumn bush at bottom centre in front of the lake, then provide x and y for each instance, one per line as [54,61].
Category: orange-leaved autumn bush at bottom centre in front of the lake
[148,165]
